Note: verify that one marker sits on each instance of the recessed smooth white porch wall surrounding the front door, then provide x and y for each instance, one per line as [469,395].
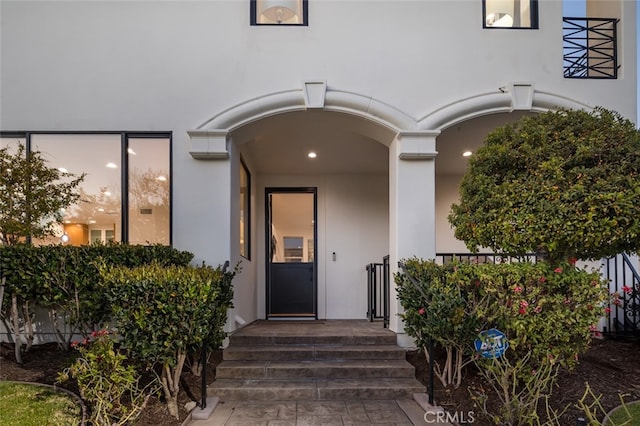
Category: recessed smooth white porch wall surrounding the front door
[344,228]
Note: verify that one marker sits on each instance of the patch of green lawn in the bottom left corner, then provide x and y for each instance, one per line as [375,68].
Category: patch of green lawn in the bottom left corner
[27,405]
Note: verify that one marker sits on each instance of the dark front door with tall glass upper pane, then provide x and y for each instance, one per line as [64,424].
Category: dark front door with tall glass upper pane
[291,252]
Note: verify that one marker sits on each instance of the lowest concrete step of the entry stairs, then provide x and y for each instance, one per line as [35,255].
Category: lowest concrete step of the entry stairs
[315,389]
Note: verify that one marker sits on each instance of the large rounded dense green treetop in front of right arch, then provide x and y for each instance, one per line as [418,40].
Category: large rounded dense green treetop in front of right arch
[564,183]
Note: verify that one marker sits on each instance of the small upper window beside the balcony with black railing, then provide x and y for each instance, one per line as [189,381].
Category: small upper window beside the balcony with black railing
[510,14]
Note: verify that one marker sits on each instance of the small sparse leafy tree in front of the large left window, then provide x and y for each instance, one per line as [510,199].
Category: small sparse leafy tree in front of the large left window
[32,195]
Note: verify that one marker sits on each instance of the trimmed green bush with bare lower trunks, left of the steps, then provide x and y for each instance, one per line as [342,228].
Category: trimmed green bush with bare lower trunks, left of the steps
[164,313]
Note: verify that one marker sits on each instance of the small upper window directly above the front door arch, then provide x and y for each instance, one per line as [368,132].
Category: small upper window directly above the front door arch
[279,12]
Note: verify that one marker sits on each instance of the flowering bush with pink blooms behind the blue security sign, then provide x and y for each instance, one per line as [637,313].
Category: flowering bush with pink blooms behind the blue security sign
[548,314]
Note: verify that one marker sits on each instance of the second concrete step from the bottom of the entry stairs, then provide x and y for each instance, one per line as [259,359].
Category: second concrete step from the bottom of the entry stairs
[350,369]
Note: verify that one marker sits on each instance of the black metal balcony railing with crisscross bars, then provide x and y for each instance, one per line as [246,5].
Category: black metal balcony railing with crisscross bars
[590,48]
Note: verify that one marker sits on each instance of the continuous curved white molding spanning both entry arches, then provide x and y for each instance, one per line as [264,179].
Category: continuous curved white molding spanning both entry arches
[209,140]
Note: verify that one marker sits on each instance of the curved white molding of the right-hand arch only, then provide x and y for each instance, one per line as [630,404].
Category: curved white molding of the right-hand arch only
[502,101]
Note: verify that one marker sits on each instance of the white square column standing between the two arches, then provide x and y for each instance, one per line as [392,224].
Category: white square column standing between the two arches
[411,207]
